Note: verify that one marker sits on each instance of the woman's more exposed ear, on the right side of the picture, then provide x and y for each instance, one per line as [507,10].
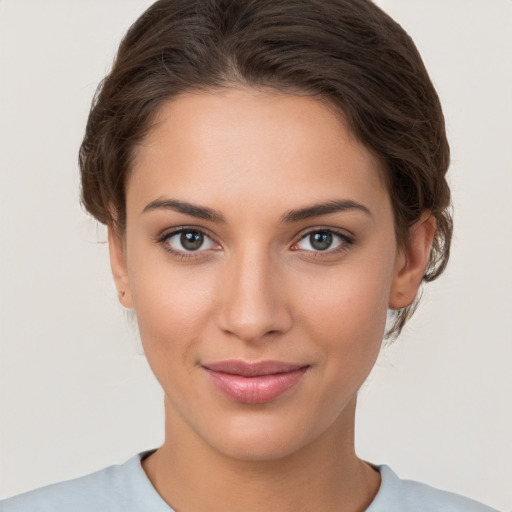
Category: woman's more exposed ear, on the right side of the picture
[411,262]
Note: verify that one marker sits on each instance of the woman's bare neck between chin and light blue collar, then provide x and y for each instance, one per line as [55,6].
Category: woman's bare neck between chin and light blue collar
[324,475]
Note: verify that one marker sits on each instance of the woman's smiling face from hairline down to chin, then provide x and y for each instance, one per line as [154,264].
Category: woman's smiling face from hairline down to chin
[260,257]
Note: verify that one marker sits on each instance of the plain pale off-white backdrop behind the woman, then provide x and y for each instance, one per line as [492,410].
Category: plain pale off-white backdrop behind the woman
[75,392]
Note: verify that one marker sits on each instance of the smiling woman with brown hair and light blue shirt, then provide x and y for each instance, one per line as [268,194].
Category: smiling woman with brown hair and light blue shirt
[272,175]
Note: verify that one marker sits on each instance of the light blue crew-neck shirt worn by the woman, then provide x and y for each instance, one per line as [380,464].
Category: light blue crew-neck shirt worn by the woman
[126,488]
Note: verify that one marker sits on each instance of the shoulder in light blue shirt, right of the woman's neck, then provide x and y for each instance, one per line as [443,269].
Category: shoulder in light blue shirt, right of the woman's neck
[409,496]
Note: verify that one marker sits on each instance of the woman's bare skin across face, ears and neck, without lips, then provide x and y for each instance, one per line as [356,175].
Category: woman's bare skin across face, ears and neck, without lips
[258,289]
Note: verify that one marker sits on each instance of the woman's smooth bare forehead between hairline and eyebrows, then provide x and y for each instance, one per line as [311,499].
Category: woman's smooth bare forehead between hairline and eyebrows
[264,146]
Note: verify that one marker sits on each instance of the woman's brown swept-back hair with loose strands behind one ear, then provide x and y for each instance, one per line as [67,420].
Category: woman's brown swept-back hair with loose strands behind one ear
[346,51]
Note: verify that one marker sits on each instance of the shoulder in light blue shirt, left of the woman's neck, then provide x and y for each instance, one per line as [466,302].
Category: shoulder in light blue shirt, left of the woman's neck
[116,488]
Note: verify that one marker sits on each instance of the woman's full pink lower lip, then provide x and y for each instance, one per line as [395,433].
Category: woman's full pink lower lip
[255,390]
